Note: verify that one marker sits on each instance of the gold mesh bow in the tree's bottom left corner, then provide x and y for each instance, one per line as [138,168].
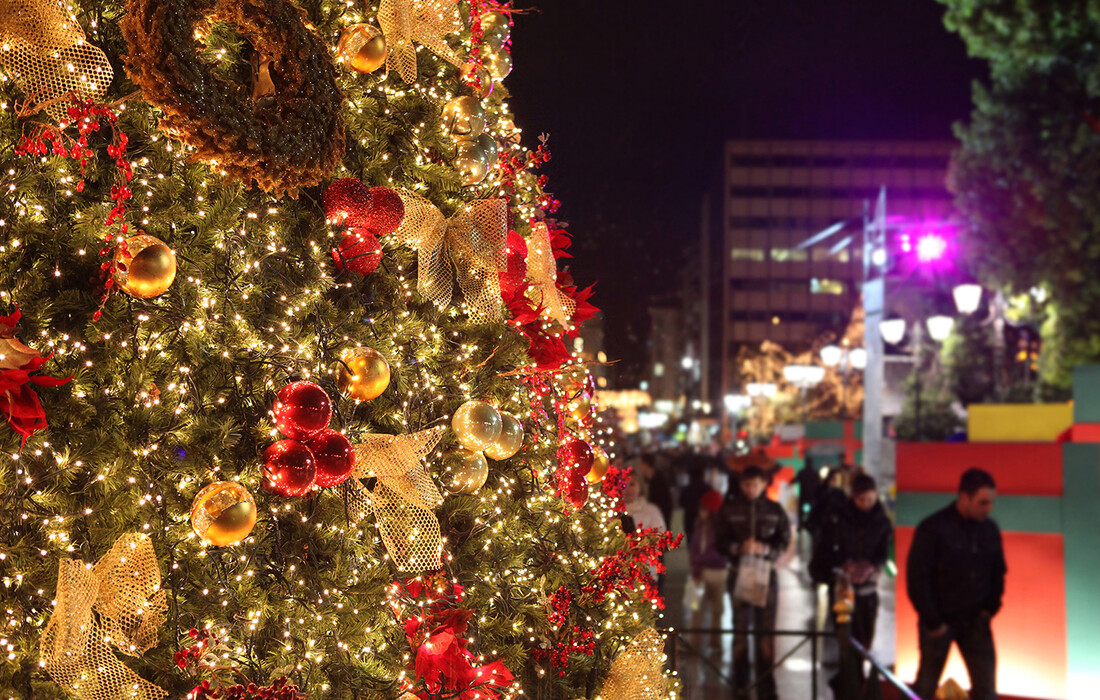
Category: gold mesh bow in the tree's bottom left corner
[117,603]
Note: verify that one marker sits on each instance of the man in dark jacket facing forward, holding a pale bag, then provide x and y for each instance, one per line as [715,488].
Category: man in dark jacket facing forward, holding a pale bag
[752,526]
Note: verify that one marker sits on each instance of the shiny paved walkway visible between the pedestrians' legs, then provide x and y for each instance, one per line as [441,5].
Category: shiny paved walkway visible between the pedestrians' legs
[799,610]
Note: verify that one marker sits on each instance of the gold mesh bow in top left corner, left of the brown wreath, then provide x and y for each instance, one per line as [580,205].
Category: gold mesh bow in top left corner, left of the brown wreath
[45,50]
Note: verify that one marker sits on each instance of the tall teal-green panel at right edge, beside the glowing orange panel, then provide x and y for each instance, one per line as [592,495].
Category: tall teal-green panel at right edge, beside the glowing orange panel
[1081,473]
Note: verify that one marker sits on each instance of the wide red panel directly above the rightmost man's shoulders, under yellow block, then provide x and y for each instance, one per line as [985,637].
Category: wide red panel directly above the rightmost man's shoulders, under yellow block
[1019,468]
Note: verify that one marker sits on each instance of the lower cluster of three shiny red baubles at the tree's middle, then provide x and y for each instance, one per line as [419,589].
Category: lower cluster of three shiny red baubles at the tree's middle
[313,454]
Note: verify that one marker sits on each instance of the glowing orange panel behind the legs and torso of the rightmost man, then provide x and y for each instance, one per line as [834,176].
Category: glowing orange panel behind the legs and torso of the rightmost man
[1030,631]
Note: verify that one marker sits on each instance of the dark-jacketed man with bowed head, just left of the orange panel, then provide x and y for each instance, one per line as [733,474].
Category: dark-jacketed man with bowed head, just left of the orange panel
[855,540]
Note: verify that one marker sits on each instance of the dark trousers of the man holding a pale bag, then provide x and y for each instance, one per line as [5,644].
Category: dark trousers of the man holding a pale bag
[761,620]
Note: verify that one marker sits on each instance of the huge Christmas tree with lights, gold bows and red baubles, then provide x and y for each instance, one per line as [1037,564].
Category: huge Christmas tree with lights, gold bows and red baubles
[289,409]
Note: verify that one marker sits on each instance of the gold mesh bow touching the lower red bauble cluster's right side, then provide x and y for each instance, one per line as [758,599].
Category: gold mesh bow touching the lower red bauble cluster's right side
[404,498]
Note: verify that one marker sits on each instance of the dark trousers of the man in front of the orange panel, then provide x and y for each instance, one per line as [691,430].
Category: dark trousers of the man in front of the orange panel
[975,640]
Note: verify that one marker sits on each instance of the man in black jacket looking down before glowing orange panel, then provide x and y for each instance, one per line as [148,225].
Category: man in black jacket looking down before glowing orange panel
[956,581]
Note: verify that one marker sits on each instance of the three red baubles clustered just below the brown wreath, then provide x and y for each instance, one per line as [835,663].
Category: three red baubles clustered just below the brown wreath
[365,214]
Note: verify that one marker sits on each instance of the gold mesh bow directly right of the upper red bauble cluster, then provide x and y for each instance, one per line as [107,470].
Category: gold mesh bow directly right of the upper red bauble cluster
[472,243]
